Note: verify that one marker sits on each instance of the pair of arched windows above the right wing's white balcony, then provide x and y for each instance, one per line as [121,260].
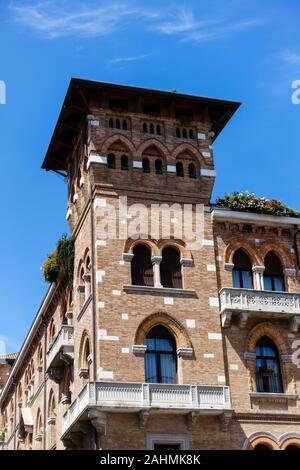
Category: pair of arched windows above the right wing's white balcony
[273,278]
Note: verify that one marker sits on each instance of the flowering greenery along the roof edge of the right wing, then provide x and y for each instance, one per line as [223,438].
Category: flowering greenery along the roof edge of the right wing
[248,202]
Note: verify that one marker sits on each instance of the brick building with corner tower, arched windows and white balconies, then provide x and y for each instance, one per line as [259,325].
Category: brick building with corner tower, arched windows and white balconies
[159,343]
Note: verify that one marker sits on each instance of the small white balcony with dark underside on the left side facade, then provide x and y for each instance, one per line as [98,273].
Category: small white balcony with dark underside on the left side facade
[60,352]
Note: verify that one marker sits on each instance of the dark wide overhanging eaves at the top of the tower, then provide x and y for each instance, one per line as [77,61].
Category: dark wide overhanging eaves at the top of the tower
[82,94]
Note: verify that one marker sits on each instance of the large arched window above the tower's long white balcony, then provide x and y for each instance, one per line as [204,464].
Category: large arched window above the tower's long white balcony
[160,356]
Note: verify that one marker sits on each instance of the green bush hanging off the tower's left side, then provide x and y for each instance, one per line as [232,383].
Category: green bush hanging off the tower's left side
[60,263]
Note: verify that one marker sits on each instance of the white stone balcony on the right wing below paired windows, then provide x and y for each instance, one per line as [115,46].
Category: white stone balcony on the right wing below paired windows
[246,303]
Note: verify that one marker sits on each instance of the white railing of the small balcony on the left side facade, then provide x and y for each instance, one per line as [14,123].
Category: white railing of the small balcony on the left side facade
[63,345]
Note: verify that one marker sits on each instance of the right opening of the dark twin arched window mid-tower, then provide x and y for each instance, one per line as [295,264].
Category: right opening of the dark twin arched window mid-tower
[170,268]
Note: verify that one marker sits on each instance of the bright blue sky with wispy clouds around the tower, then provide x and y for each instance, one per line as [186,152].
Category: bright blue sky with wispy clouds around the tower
[245,50]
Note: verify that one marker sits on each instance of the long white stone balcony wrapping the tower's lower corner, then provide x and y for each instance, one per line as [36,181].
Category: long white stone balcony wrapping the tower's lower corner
[190,400]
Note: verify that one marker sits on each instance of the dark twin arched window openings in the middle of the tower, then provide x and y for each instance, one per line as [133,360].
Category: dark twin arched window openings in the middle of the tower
[142,269]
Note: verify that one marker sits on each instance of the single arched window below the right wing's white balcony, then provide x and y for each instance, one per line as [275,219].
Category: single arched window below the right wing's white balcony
[268,374]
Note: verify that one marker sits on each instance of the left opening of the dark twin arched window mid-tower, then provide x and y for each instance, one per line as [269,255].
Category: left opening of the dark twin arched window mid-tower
[141,266]
